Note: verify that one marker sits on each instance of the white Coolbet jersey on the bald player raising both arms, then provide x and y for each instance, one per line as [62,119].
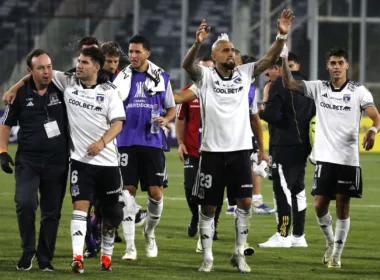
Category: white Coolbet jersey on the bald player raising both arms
[224,109]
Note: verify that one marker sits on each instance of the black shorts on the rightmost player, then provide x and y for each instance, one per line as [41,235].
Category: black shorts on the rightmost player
[331,179]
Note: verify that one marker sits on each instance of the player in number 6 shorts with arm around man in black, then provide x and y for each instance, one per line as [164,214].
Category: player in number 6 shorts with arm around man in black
[96,114]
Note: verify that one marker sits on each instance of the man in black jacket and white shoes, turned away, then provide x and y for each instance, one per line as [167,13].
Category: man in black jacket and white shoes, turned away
[289,148]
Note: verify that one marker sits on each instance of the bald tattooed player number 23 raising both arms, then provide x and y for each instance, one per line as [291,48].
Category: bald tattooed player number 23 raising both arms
[226,135]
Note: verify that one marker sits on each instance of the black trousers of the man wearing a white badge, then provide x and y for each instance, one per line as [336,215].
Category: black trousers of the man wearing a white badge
[48,175]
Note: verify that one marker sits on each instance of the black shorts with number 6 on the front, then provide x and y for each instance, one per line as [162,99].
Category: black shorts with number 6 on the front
[94,182]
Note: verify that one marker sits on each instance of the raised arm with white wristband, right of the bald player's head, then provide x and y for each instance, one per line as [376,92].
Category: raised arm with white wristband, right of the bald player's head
[283,25]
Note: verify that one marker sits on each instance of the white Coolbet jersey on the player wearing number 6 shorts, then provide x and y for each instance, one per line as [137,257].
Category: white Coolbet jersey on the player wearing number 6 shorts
[90,111]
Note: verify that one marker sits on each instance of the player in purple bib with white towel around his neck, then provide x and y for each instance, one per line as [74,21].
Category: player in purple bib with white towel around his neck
[146,91]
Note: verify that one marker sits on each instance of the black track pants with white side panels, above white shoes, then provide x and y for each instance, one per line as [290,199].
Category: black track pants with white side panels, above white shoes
[289,192]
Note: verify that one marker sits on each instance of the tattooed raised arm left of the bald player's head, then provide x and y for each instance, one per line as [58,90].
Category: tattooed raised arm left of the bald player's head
[194,70]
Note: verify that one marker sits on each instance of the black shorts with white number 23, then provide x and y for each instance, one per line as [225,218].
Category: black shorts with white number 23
[220,169]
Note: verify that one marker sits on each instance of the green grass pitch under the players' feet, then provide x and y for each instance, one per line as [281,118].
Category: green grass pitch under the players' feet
[177,258]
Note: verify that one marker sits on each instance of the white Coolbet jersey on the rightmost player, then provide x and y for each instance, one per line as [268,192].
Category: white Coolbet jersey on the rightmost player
[338,120]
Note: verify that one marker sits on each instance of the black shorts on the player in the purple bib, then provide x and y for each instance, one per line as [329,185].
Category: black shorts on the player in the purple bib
[142,164]
